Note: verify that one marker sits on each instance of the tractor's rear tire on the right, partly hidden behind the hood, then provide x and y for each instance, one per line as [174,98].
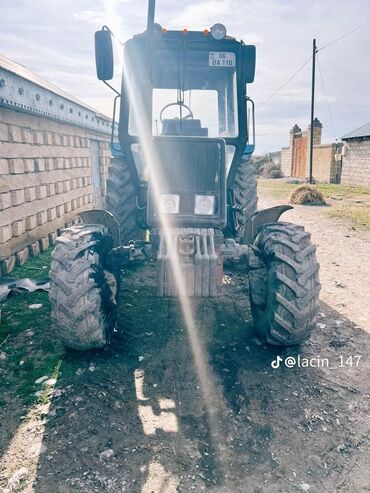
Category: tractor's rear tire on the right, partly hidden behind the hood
[245,194]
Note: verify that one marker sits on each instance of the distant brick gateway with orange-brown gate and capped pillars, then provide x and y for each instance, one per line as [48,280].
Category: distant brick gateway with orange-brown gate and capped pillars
[295,158]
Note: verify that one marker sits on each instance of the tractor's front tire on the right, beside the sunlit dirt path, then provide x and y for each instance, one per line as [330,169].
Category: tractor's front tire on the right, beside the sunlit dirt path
[285,306]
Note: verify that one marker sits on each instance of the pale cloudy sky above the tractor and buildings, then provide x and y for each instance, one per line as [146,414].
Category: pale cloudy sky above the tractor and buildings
[55,39]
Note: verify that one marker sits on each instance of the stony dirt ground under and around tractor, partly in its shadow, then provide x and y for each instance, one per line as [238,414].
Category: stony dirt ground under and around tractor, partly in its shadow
[170,409]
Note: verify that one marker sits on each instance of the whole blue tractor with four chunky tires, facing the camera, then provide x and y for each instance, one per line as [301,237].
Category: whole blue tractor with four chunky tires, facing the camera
[181,188]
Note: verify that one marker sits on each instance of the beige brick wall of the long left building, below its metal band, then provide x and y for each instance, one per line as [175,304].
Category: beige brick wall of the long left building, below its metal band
[45,180]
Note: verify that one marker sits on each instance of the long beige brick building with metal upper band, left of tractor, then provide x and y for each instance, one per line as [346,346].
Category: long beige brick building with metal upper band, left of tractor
[54,154]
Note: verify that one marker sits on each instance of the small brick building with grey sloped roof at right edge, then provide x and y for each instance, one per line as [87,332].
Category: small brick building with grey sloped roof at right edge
[356,157]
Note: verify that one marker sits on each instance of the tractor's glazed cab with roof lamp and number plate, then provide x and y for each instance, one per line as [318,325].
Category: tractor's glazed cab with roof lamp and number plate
[196,83]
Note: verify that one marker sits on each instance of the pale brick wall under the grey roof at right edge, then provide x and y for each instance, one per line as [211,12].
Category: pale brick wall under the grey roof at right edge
[356,163]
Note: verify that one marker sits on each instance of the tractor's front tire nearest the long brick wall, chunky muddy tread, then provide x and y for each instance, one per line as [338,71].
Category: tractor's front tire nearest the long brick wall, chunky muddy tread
[82,291]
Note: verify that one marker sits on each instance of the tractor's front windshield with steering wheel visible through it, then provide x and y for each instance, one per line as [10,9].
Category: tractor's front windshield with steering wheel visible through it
[194,93]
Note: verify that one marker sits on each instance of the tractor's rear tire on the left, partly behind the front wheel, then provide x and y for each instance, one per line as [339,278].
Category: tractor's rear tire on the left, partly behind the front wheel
[122,200]
